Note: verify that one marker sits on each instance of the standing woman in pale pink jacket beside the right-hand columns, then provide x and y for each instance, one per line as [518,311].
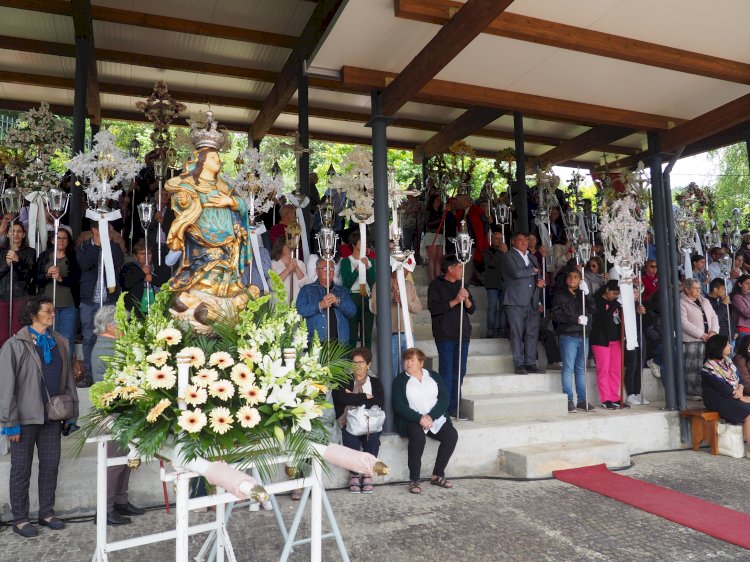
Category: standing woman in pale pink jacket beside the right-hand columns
[699,322]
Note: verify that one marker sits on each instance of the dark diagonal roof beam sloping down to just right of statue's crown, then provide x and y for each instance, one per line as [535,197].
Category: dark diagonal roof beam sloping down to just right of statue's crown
[284,88]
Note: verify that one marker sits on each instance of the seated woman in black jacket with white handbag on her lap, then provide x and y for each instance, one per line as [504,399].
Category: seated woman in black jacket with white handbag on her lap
[362,390]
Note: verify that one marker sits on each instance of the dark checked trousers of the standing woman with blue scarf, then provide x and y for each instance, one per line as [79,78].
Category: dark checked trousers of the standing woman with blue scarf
[46,439]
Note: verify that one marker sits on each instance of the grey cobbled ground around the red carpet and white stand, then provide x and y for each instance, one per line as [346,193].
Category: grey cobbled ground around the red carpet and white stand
[479,520]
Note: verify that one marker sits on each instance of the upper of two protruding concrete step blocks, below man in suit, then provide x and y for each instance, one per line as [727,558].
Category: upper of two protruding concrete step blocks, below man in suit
[517,405]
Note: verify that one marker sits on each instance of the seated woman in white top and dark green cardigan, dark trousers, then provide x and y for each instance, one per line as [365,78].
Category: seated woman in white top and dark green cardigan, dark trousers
[420,403]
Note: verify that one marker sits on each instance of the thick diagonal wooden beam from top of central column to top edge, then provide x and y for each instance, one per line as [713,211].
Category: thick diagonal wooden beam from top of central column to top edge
[468,22]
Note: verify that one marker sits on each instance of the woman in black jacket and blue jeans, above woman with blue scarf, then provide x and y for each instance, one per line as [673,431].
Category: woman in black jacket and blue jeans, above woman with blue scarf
[68,276]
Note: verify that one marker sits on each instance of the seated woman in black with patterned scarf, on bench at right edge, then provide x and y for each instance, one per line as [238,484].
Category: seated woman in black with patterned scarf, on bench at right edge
[722,389]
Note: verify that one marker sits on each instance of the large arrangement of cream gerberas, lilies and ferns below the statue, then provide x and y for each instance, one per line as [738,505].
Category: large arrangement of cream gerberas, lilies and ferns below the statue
[253,393]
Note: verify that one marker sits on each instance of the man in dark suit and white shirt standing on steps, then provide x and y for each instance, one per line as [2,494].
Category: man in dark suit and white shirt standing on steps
[521,286]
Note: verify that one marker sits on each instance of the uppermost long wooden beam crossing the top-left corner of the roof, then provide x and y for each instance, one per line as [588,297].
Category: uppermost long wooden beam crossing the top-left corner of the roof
[154,21]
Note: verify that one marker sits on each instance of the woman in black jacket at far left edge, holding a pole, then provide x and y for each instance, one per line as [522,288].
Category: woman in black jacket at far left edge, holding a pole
[23,258]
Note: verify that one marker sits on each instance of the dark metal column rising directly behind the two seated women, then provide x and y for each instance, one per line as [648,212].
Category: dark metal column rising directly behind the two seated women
[379,125]
